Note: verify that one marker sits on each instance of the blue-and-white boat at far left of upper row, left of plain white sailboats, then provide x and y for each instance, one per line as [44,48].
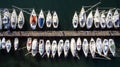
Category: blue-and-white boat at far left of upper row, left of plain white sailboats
[6,19]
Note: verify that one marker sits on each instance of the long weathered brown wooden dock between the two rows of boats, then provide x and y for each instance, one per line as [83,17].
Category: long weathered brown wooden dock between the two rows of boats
[59,33]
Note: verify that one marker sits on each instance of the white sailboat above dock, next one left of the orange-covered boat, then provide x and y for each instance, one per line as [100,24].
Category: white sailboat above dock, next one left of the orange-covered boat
[21,20]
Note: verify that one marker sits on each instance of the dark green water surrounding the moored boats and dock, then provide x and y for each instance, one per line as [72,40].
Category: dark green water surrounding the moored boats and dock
[65,10]
